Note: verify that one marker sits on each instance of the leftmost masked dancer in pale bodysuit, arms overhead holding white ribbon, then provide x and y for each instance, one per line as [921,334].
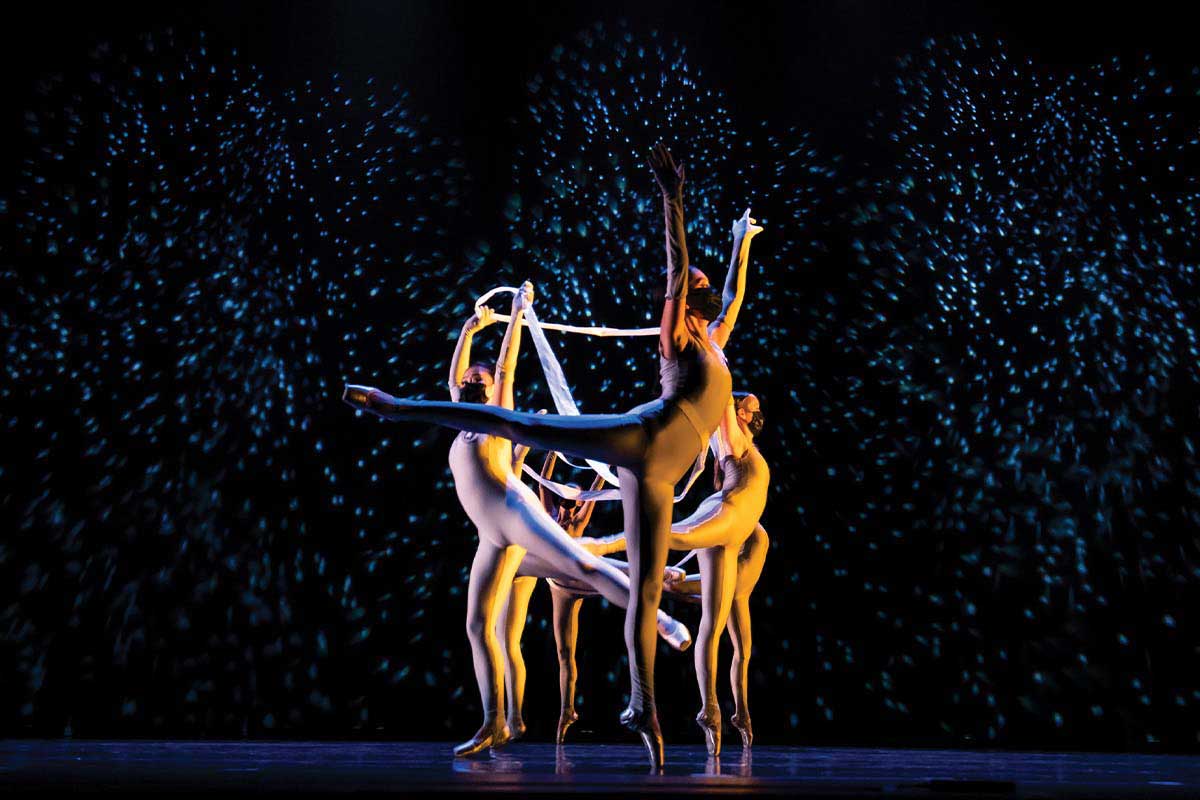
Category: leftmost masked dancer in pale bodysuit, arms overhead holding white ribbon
[512,524]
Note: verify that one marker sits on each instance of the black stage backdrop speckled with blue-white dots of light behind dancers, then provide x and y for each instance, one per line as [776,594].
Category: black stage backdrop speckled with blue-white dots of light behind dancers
[973,321]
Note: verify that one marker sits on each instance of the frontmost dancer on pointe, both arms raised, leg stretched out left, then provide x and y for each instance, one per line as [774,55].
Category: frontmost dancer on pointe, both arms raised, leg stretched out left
[652,446]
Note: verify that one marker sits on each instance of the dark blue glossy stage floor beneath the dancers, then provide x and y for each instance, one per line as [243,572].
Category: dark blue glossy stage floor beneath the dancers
[425,768]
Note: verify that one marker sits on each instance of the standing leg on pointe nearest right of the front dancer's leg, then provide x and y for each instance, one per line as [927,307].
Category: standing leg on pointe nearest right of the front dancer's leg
[719,574]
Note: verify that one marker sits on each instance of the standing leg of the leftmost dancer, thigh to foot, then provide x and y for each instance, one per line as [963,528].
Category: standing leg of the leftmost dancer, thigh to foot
[491,576]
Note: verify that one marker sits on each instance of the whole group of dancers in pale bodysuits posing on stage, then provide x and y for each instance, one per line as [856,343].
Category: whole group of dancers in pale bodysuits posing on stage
[525,537]
